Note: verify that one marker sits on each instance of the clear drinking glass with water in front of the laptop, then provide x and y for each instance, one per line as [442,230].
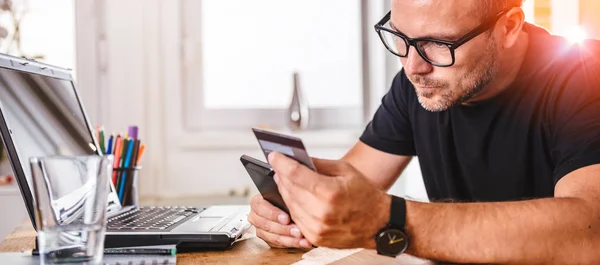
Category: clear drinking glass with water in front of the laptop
[71,201]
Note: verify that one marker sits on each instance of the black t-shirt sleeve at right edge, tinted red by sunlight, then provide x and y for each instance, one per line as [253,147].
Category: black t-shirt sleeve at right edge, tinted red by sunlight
[575,124]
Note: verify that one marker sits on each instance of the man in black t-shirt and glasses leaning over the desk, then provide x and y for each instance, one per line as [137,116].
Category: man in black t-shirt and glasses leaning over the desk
[505,120]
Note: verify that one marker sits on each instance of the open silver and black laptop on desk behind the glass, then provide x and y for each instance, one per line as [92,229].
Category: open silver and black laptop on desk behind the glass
[41,115]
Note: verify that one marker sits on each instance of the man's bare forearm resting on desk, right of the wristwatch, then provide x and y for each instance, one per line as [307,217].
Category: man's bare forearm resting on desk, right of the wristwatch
[544,231]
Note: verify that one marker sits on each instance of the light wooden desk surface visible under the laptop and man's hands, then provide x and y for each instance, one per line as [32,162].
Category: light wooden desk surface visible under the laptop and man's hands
[251,250]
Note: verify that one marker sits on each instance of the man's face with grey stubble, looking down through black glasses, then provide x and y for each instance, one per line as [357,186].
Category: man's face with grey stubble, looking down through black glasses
[439,88]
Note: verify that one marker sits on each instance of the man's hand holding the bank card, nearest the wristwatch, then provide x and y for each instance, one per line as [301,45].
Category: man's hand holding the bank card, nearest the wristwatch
[336,208]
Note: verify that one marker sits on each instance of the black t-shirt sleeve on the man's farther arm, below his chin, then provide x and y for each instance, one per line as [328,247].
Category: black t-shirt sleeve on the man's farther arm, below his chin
[390,129]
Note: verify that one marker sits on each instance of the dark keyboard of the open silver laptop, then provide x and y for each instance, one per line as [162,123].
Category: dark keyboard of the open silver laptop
[151,218]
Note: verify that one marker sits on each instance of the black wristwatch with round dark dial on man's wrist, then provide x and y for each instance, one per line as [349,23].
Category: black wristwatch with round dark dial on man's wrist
[392,240]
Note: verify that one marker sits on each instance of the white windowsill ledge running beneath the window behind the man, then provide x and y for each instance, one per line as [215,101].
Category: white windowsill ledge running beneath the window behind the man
[235,139]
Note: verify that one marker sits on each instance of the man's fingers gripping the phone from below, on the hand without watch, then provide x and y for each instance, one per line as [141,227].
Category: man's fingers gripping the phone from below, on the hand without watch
[273,225]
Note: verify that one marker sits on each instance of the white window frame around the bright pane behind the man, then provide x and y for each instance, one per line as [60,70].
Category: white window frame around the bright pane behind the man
[196,117]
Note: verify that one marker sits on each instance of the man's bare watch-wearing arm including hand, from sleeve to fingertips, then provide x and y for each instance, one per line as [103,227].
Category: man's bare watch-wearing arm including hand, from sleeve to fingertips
[341,208]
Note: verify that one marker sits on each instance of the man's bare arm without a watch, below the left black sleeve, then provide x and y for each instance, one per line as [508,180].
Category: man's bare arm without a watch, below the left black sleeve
[381,168]
